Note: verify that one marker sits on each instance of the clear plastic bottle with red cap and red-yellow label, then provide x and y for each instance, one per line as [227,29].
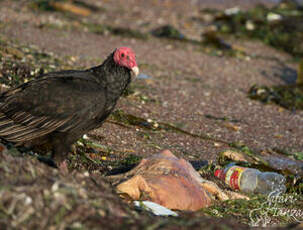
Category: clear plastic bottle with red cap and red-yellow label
[252,180]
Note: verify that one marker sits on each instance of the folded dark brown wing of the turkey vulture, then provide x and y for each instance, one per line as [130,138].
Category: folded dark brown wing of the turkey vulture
[56,102]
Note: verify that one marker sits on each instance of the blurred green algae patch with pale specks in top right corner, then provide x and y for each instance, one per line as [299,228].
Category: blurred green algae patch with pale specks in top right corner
[280,26]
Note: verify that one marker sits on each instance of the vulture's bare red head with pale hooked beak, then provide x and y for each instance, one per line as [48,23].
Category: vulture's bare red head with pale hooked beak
[126,57]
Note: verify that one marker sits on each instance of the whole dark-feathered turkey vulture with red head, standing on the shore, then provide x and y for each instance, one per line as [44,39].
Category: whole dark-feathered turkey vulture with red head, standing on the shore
[59,107]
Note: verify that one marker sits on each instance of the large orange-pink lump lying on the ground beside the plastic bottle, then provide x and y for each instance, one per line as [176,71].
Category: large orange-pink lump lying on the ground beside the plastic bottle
[168,181]
